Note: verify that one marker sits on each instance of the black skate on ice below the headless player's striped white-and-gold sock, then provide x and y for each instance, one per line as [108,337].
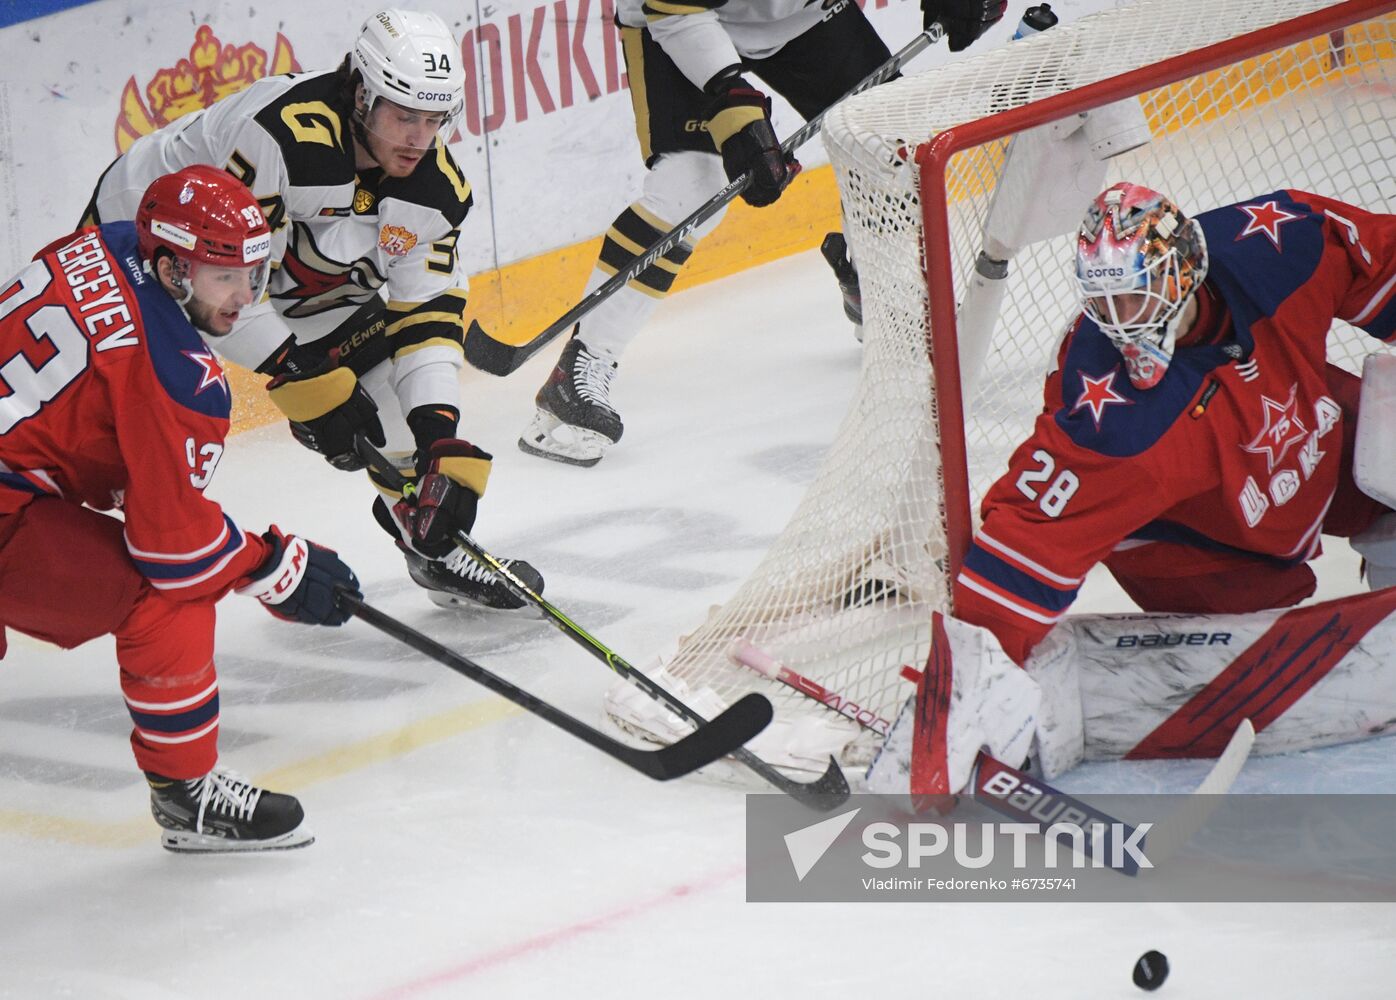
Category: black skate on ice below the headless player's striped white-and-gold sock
[574,422]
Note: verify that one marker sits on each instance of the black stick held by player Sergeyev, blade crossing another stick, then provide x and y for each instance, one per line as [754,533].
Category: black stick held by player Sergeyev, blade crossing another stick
[710,742]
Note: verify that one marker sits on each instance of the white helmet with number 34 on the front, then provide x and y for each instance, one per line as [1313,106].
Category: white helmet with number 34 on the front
[414,61]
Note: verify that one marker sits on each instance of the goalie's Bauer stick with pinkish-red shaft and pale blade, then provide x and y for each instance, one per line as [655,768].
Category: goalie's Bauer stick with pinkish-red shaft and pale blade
[1014,793]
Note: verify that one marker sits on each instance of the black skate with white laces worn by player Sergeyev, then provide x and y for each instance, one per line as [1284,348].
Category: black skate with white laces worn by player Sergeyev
[223,814]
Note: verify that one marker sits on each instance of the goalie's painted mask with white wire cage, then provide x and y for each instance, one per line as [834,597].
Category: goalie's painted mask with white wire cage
[1138,262]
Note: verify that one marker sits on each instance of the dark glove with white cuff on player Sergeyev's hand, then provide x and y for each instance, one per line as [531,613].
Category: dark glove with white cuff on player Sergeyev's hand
[298,582]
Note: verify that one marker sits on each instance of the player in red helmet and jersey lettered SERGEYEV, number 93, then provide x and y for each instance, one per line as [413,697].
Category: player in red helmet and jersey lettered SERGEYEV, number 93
[112,400]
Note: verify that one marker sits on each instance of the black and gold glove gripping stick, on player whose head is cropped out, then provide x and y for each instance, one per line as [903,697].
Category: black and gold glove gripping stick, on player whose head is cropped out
[739,121]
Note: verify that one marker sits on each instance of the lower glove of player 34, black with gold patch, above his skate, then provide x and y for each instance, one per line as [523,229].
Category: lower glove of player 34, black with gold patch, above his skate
[445,498]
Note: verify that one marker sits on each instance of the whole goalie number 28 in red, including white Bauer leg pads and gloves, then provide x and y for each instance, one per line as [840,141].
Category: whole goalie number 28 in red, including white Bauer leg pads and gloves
[1197,443]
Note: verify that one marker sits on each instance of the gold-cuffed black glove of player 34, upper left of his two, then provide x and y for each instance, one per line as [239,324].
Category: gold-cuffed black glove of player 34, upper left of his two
[327,410]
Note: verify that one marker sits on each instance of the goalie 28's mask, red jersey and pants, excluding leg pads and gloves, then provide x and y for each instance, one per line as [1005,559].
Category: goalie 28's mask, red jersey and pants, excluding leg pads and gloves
[1194,439]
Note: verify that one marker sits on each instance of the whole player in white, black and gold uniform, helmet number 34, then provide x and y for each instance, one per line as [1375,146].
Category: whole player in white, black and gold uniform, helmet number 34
[364,330]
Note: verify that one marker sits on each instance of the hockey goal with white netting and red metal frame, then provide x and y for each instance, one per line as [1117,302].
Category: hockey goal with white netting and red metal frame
[1240,98]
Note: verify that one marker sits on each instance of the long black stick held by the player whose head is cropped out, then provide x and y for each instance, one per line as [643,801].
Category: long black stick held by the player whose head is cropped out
[498,358]
